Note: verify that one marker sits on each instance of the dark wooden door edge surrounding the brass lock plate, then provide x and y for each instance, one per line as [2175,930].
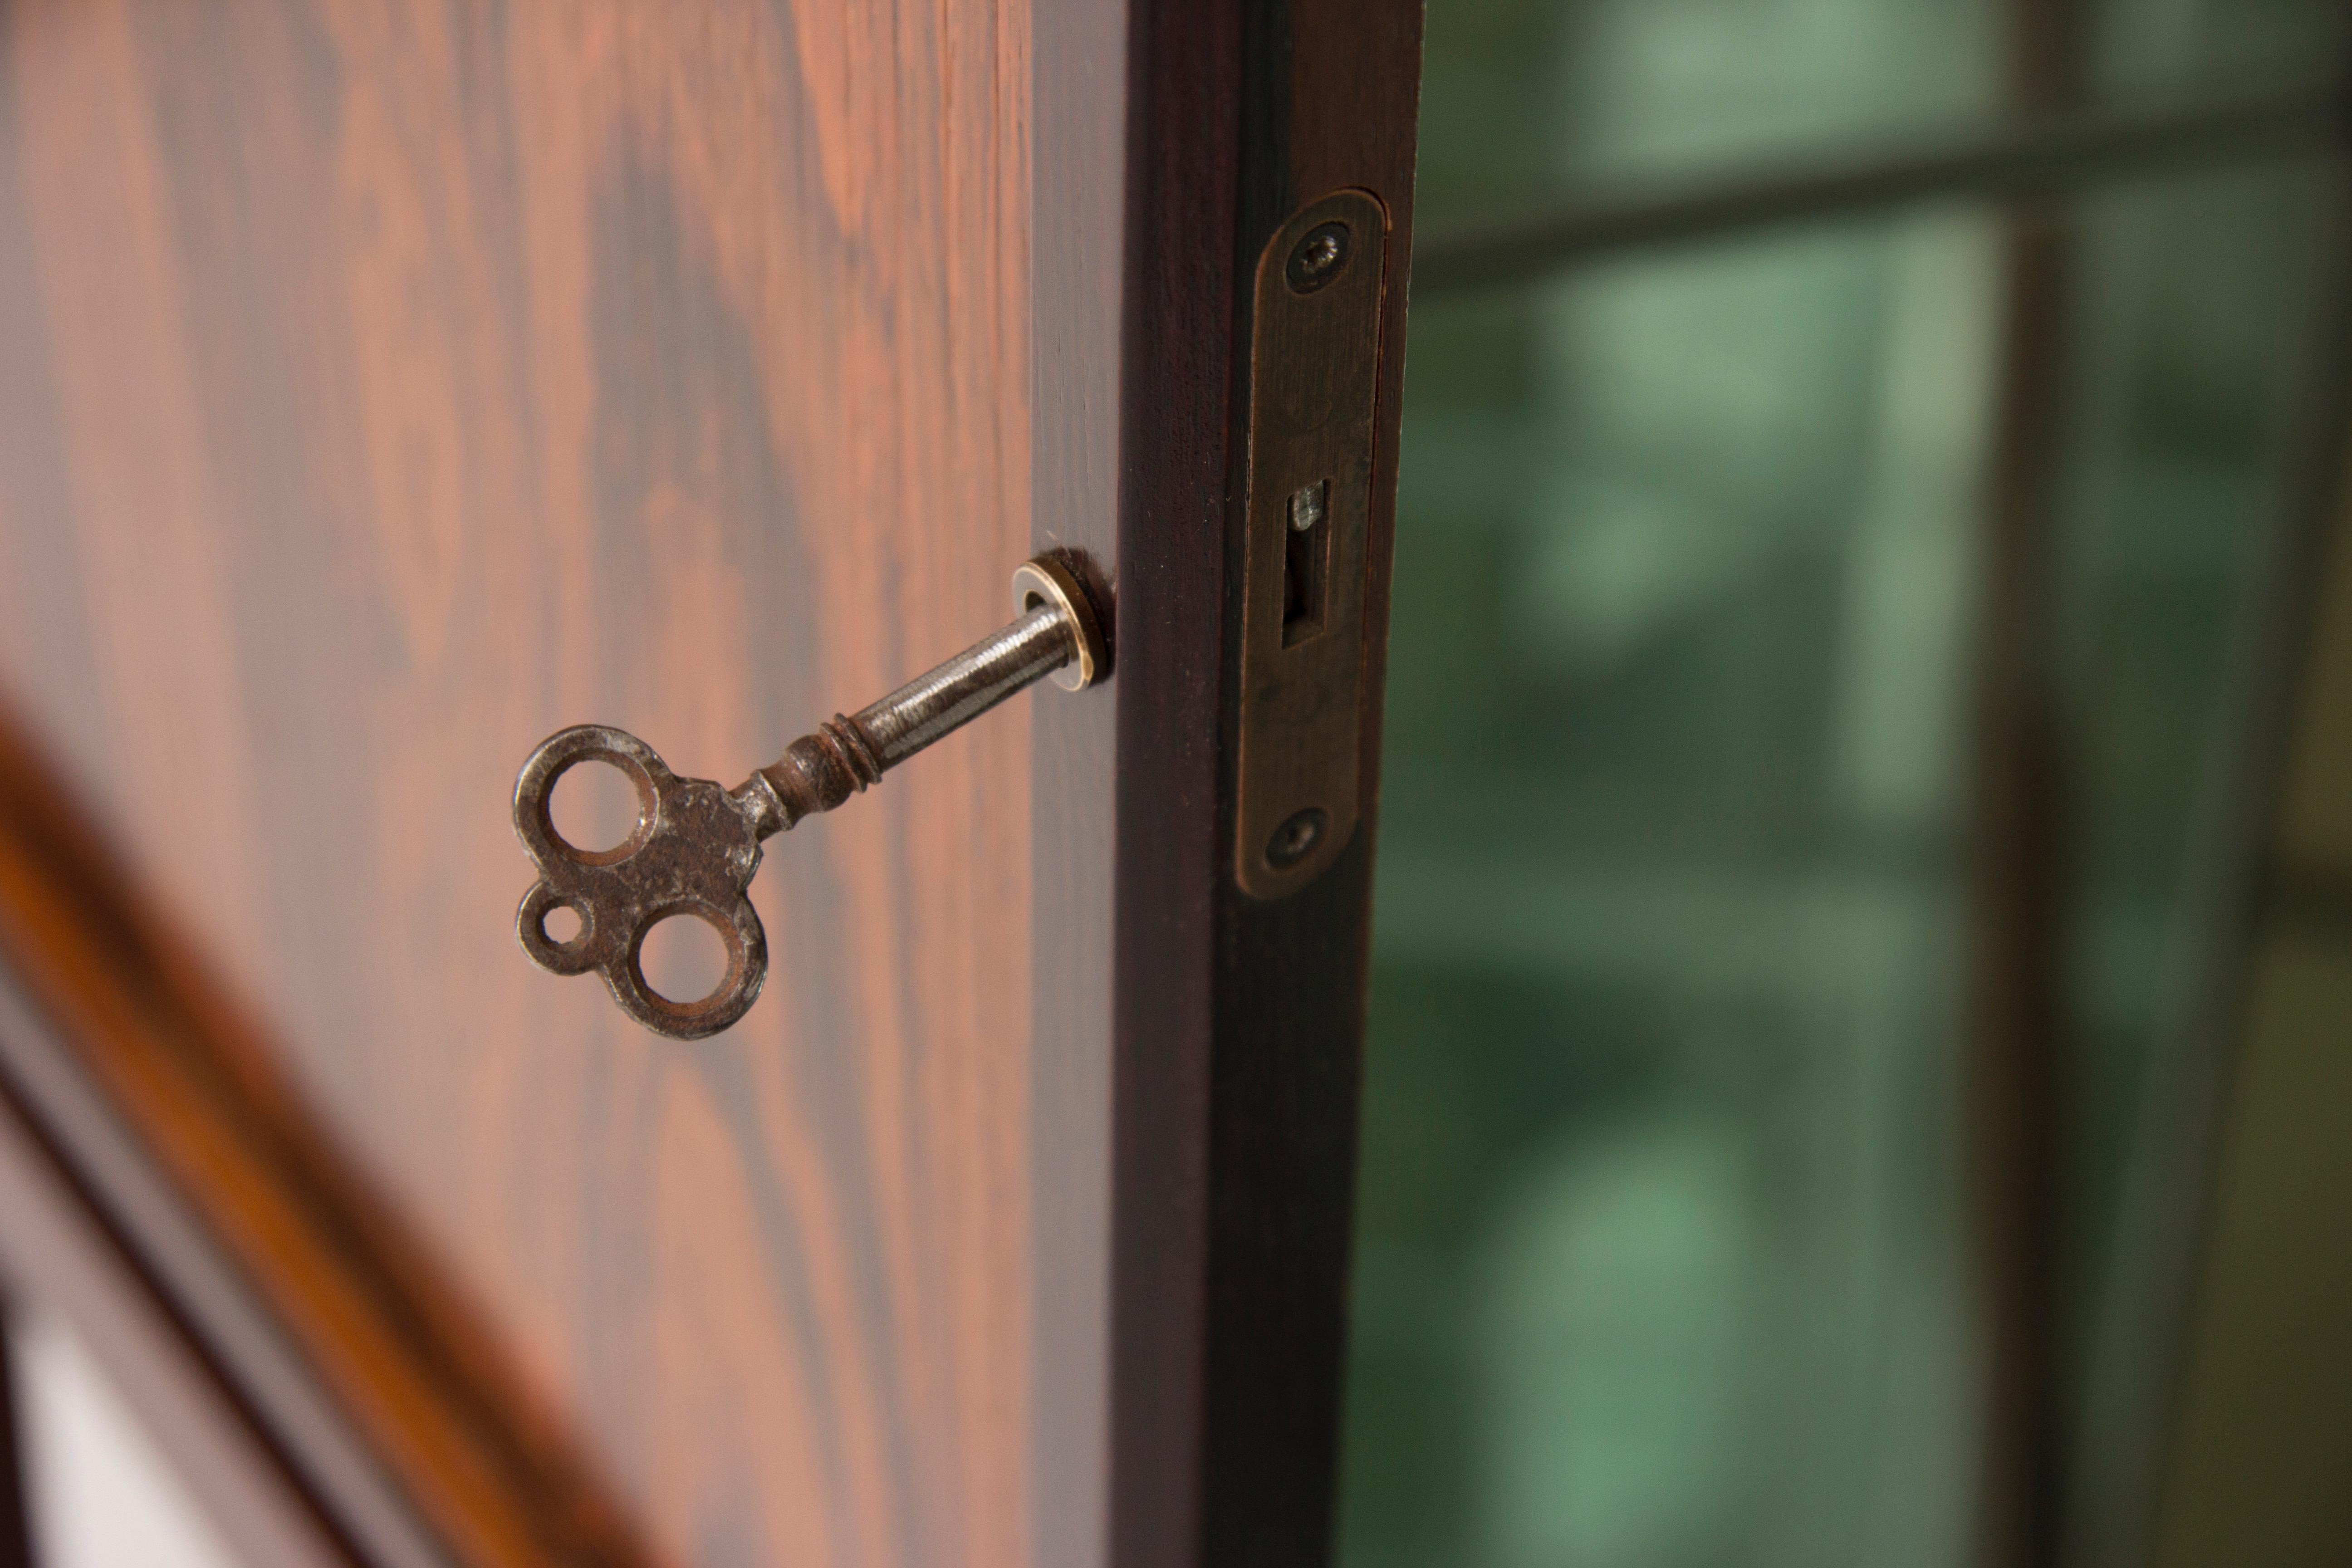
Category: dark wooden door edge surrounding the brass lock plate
[1238,1024]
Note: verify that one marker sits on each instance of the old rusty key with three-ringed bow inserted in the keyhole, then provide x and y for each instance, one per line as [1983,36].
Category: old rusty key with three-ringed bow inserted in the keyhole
[695,845]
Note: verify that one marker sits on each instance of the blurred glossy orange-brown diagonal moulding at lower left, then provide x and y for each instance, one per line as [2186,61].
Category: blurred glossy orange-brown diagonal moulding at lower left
[347,1355]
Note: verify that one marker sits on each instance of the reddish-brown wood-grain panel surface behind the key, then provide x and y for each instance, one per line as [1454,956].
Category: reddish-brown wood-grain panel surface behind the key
[387,384]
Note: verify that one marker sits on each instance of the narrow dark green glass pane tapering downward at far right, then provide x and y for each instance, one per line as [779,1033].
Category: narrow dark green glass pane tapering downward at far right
[2198,304]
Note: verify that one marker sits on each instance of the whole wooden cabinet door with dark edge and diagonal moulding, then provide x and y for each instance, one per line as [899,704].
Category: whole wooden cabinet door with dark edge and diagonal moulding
[387,384]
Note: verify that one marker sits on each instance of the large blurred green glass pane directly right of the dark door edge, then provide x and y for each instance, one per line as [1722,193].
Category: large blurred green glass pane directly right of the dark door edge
[1659,1231]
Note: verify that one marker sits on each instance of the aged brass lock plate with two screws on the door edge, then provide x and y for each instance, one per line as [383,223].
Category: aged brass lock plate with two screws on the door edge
[1314,375]
